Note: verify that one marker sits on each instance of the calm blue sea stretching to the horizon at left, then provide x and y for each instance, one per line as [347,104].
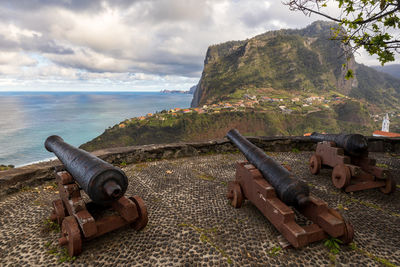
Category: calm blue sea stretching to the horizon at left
[28,118]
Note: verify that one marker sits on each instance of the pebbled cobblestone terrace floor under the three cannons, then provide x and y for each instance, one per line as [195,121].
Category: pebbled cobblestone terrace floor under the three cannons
[192,224]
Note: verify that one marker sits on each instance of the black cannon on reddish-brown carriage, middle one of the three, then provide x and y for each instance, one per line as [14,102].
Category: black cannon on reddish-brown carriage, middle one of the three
[272,188]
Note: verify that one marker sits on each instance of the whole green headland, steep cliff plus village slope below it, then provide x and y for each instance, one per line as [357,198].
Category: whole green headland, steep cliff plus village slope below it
[287,82]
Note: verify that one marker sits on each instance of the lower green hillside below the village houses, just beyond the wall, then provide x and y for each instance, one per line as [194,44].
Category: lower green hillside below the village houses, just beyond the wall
[266,119]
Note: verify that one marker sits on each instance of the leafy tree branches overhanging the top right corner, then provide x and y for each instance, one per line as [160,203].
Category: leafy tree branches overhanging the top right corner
[371,24]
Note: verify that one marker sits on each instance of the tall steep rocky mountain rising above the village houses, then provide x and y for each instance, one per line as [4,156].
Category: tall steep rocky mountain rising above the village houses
[298,61]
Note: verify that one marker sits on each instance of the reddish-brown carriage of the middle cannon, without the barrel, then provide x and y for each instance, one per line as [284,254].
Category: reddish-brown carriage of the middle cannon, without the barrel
[249,184]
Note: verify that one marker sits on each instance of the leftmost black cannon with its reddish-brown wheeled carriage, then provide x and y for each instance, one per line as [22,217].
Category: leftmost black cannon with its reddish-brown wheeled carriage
[107,210]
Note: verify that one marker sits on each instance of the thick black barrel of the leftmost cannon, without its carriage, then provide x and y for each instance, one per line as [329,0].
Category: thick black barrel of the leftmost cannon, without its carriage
[102,181]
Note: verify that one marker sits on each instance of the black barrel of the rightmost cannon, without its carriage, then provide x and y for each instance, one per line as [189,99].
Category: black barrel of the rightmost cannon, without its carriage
[353,144]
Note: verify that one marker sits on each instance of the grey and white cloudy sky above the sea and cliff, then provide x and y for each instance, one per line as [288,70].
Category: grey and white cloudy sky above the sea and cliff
[142,45]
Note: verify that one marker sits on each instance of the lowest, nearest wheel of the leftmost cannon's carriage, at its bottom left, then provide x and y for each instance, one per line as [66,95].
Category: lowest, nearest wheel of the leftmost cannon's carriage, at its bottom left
[71,236]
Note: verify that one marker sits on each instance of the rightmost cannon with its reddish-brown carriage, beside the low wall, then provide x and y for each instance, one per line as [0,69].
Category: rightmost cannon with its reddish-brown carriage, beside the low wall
[353,170]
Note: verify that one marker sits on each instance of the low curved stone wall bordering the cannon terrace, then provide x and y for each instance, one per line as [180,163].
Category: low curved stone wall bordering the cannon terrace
[31,175]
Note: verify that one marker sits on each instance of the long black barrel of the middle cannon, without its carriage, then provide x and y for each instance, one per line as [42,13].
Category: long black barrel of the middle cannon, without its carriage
[289,188]
